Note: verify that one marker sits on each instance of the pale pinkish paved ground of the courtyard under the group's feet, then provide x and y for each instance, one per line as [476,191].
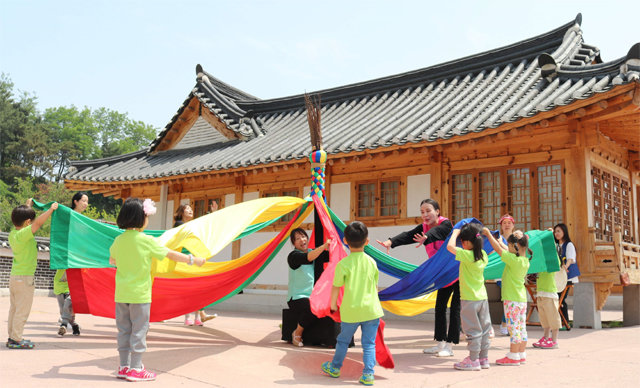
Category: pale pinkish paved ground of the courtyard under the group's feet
[244,350]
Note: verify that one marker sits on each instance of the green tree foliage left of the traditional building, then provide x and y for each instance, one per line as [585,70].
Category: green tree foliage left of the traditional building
[36,148]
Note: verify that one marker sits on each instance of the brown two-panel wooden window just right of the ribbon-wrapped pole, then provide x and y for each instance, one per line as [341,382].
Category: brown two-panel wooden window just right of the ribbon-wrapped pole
[378,198]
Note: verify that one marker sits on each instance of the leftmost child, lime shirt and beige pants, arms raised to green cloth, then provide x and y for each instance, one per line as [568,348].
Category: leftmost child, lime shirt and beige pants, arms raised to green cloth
[25,259]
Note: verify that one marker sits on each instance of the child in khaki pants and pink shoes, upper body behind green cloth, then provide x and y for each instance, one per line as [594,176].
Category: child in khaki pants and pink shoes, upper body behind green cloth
[547,302]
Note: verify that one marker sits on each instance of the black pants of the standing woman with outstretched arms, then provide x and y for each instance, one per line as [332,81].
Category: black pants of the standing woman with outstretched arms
[454,314]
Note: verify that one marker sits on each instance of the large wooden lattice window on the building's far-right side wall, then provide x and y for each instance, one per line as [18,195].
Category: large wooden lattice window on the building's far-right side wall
[611,205]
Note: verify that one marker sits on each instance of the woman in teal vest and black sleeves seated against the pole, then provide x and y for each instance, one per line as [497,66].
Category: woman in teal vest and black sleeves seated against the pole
[301,277]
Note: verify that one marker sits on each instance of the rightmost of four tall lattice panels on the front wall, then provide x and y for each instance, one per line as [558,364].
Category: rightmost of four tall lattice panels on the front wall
[549,196]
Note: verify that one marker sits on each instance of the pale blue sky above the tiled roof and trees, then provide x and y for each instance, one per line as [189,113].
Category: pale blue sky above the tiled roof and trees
[139,57]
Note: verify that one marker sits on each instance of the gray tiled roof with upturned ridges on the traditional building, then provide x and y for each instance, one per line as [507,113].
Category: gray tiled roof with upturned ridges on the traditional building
[439,102]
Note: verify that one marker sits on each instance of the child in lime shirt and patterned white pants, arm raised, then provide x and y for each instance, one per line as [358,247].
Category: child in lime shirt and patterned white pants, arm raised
[514,295]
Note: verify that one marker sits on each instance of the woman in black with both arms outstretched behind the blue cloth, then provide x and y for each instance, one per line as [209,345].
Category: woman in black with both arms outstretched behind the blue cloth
[432,233]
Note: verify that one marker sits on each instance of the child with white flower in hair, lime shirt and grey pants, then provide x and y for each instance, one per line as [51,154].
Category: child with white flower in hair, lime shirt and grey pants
[132,253]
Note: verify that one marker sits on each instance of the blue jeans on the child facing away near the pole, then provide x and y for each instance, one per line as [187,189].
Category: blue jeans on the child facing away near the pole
[347,330]
